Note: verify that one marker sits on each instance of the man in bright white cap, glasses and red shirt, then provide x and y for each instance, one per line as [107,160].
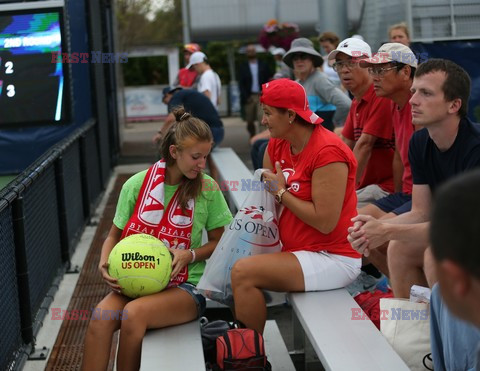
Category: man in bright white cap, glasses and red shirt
[368,131]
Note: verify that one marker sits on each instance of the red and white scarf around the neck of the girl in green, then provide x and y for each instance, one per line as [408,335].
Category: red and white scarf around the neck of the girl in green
[172,226]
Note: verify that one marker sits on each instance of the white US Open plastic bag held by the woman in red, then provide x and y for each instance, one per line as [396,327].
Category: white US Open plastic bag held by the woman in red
[253,230]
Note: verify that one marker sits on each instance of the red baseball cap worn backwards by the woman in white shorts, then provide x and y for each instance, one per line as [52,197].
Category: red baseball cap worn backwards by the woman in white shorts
[289,94]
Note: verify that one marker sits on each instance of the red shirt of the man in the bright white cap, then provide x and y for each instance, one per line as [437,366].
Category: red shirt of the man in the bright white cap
[372,115]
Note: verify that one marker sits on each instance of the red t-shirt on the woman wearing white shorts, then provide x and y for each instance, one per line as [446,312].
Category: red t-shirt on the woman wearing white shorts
[323,148]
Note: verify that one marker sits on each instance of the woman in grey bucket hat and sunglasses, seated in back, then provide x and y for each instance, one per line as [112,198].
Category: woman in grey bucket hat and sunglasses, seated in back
[326,100]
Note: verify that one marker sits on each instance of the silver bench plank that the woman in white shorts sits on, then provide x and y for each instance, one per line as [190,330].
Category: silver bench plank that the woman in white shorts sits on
[340,342]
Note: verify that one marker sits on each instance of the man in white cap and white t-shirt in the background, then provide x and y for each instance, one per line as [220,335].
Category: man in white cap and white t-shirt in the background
[209,82]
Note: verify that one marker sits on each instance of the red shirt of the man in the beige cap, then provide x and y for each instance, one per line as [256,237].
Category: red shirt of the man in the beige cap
[404,129]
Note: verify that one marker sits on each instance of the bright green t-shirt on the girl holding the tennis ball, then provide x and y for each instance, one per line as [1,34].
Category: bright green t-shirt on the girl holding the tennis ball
[211,211]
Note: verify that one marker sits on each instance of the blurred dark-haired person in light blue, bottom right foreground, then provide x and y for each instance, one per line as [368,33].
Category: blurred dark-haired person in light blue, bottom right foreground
[455,240]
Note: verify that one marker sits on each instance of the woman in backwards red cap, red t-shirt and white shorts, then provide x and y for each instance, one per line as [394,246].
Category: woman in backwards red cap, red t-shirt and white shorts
[311,173]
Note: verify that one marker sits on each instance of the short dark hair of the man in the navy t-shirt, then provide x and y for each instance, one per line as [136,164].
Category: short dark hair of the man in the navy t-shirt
[457,82]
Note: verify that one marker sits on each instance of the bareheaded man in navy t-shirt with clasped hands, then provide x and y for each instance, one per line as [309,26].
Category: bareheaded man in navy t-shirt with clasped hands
[447,145]
